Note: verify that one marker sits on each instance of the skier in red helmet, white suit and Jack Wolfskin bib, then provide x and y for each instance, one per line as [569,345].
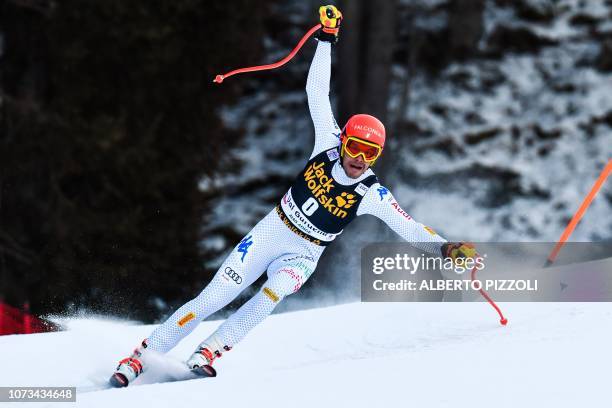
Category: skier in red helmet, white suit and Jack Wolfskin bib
[336,185]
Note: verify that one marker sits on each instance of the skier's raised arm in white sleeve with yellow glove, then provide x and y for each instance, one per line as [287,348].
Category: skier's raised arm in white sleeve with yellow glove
[327,131]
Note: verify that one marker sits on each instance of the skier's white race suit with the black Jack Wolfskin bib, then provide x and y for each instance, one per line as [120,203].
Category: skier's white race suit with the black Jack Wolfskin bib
[288,242]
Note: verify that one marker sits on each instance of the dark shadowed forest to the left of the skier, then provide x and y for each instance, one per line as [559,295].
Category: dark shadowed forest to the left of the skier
[109,120]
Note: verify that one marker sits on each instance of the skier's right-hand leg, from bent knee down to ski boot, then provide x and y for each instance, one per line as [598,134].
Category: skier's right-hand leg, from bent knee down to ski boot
[285,276]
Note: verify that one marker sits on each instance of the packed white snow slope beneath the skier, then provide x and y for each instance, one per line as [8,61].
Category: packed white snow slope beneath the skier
[355,355]
